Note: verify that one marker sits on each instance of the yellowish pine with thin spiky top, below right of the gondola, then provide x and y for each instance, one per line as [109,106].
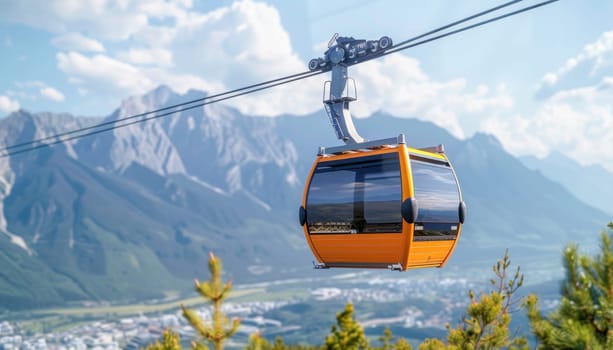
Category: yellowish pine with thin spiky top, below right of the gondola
[487,320]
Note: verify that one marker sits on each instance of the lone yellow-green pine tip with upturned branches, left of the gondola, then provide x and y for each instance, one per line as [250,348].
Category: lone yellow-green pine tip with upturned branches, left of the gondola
[221,328]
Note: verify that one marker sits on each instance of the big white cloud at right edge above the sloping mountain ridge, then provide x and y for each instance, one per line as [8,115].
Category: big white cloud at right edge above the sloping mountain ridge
[575,115]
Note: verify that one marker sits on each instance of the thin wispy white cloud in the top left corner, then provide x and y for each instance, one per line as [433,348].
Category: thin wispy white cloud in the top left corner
[149,21]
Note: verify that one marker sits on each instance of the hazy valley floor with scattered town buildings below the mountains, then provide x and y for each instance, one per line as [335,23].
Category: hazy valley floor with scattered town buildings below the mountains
[417,304]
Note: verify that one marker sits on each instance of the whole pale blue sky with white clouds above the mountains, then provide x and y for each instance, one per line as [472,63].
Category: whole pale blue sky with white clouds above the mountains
[540,81]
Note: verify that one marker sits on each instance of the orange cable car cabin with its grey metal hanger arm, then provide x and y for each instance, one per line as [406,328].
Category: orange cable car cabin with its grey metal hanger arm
[377,204]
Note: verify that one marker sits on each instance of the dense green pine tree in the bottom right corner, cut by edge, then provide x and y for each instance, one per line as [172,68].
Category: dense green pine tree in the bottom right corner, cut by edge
[584,318]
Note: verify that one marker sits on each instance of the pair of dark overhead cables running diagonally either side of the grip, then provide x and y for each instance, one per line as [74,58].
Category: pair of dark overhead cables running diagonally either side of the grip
[180,107]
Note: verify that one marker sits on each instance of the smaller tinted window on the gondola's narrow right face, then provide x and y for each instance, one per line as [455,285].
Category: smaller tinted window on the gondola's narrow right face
[438,199]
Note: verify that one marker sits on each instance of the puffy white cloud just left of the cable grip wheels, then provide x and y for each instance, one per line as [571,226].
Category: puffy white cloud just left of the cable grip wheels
[239,44]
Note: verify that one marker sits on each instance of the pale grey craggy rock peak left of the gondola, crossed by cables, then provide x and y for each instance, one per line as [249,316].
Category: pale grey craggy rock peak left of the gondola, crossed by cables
[214,144]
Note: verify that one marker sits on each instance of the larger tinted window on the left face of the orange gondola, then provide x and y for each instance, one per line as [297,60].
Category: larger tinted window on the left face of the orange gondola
[355,196]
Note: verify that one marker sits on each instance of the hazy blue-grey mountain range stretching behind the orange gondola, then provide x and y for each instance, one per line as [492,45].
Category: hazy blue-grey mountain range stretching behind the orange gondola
[133,213]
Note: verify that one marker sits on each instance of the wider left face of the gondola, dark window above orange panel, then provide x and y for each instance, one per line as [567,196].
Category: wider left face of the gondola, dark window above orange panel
[353,210]
